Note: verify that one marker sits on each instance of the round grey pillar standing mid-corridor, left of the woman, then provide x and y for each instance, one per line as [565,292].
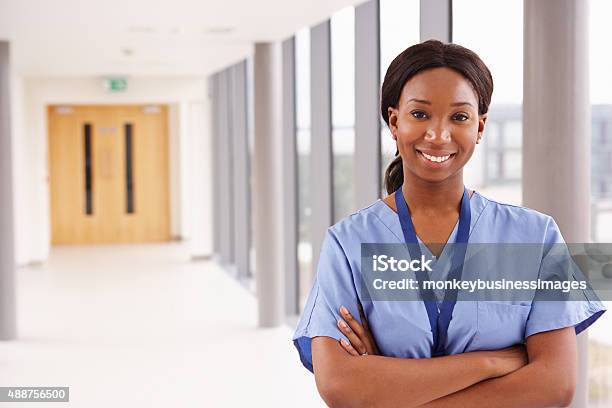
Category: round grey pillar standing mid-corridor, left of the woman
[268,182]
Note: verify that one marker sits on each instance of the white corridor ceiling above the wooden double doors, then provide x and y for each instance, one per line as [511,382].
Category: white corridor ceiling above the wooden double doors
[147,37]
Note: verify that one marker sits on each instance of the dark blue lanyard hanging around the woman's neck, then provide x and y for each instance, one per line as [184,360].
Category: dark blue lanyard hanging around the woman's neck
[439,320]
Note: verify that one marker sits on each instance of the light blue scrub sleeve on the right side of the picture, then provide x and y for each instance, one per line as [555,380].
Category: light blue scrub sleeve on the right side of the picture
[579,311]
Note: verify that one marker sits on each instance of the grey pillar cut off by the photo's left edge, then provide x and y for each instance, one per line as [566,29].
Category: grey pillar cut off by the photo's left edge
[8,309]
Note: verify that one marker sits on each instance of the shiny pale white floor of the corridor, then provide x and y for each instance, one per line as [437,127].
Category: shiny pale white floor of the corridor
[142,326]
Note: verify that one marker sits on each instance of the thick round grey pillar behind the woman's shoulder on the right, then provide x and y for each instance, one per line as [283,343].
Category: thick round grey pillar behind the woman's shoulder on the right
[556,125]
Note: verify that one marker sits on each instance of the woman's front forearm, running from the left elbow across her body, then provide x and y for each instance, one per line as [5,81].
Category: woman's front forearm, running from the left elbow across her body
[377,381]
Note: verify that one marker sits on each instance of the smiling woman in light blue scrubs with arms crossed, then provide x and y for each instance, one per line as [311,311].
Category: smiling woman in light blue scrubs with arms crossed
[437,352]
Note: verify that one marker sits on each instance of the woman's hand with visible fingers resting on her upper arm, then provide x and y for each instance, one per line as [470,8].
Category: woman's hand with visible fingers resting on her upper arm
[361,340]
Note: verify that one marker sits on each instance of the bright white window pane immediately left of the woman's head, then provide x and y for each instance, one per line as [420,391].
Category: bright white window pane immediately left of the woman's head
[399,29]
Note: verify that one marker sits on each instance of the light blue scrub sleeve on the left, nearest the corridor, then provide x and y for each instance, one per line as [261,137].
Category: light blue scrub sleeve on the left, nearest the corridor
[333,287]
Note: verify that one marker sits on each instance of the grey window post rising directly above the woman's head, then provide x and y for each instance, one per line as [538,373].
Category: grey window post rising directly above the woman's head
[436,20]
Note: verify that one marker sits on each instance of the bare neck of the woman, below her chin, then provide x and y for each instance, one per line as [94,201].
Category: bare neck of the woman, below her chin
[444,196]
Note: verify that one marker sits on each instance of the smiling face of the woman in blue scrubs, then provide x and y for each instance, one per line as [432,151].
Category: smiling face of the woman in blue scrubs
[436,124]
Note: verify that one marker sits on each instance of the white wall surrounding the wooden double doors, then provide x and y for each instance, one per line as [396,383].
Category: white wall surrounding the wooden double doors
[31,97]
